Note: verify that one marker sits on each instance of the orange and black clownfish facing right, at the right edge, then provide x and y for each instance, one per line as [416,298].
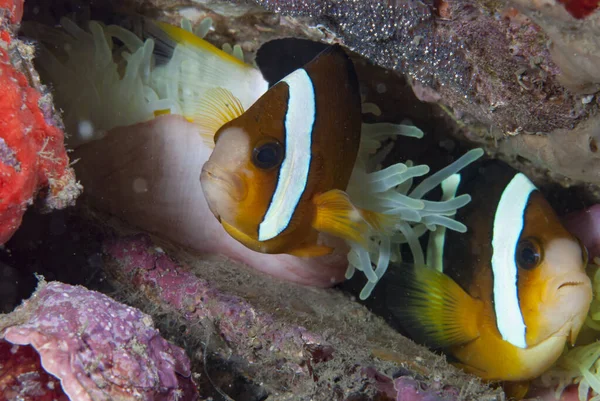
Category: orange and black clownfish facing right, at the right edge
[505,297]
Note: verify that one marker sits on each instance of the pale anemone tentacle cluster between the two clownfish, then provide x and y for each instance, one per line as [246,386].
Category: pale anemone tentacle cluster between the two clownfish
[389,191]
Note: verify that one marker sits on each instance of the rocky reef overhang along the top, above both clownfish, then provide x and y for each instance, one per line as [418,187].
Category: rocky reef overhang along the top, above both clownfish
[518,77]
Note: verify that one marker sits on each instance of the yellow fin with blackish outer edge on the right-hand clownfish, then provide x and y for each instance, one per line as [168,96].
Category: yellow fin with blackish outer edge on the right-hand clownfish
[433,308]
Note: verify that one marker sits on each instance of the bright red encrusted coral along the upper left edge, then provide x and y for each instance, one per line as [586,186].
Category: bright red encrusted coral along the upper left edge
[32,153]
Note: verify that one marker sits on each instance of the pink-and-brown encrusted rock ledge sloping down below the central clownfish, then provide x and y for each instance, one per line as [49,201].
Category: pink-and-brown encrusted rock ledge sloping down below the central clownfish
[295,342]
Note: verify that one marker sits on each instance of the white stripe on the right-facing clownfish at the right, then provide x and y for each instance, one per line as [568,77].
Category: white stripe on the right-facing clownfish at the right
[508,225]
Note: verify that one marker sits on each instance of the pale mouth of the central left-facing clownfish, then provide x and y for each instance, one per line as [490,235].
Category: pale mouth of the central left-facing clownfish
[215,181]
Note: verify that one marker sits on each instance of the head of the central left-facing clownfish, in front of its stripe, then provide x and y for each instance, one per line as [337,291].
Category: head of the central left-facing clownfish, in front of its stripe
[241,174]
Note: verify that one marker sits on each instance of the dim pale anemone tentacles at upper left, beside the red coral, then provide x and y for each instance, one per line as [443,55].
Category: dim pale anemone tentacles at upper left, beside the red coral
[87,66]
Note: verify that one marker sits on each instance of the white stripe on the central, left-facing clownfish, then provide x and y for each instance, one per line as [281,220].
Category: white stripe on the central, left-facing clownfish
[293,173]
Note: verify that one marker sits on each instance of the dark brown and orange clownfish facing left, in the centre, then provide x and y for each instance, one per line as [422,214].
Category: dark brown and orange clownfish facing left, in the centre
[278,172]
